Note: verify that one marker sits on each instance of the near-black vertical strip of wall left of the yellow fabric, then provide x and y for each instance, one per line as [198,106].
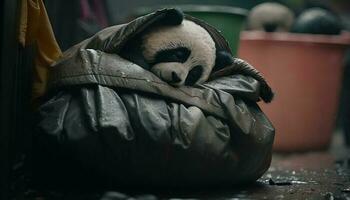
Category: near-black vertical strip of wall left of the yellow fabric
[9,91]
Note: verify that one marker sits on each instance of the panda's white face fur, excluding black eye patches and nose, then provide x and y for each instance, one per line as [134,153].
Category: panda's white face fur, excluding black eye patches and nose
[189,35]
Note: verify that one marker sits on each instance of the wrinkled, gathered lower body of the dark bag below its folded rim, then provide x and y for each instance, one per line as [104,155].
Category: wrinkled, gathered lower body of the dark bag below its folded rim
[103,136]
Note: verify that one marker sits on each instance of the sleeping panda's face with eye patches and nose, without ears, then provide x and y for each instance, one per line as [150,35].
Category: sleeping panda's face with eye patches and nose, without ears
[180,55]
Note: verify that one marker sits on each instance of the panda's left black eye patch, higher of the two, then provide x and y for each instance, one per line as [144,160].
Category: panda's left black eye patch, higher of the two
[179,54]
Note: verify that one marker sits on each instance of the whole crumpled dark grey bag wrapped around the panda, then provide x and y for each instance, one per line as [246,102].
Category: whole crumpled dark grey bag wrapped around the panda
[107,122]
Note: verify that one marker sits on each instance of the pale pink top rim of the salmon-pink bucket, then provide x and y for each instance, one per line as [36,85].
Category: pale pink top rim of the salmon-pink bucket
[342,40]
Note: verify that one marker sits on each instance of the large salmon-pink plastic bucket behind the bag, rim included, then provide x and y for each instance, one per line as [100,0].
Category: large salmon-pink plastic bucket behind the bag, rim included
[305,72]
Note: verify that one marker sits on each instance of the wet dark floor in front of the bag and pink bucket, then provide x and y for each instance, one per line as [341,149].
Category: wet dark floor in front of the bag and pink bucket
[322,175]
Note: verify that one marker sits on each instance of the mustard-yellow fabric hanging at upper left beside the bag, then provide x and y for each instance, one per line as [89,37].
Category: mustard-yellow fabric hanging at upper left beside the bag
[35,29]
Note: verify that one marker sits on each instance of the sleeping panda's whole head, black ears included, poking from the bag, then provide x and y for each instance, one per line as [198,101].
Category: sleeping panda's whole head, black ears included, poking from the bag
[179,49]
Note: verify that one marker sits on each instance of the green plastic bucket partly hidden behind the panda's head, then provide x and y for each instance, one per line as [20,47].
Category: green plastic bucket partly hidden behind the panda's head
[228,20]
